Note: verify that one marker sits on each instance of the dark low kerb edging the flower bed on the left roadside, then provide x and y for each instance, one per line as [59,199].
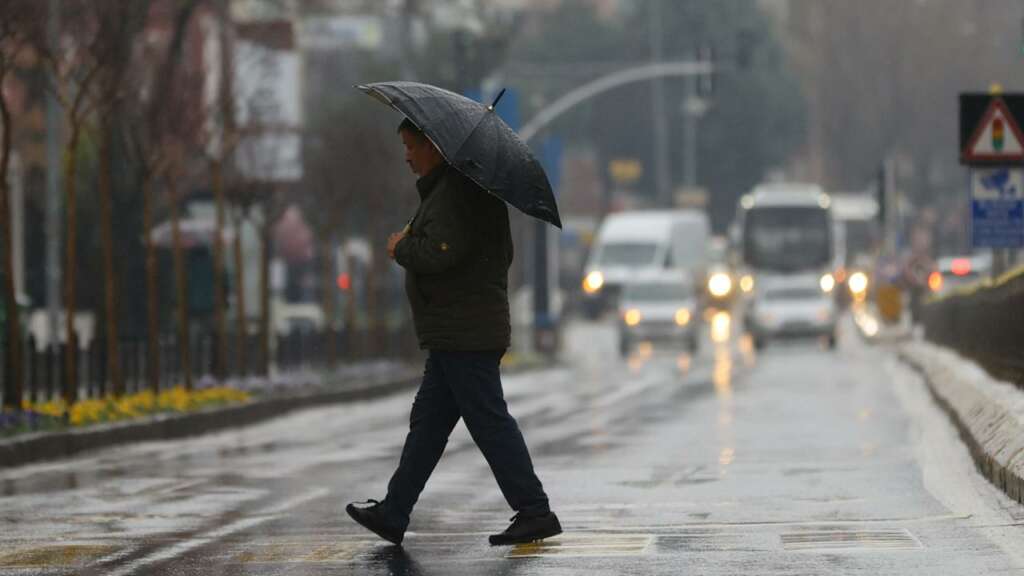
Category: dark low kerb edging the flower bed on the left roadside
[53,445]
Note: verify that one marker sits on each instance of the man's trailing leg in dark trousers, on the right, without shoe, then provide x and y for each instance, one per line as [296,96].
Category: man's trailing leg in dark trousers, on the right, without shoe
[475,380]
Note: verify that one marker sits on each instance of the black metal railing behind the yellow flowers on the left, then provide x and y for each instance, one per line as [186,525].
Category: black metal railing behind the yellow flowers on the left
[45,374]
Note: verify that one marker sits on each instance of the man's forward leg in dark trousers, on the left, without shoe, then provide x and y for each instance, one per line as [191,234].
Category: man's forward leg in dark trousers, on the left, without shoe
[435,416]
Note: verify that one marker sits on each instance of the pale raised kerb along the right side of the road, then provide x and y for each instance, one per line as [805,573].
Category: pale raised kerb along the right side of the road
[995,437]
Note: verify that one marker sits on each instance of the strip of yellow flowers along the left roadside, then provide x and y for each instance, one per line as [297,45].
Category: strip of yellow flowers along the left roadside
[112,409]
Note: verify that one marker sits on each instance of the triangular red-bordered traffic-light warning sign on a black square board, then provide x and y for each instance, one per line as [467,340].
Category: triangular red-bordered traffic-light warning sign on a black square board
[991,133]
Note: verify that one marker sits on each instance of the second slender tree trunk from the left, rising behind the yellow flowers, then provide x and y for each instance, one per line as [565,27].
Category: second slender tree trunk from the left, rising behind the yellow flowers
[71,258]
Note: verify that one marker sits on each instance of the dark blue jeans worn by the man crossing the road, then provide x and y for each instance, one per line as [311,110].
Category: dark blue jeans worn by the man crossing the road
[465,385]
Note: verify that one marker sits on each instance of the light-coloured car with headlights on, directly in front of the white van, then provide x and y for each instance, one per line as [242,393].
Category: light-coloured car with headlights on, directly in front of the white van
[659,308]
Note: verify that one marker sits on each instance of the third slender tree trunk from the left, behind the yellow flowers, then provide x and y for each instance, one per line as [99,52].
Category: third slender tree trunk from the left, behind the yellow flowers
[113,355]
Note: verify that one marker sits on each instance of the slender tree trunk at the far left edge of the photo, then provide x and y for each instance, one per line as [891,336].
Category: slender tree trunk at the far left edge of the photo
[14,386]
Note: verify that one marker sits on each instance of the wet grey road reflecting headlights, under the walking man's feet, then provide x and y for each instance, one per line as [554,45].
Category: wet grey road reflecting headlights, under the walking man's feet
[796,461]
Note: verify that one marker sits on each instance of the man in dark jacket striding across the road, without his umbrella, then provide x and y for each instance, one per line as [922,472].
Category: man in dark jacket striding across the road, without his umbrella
[457,252]
